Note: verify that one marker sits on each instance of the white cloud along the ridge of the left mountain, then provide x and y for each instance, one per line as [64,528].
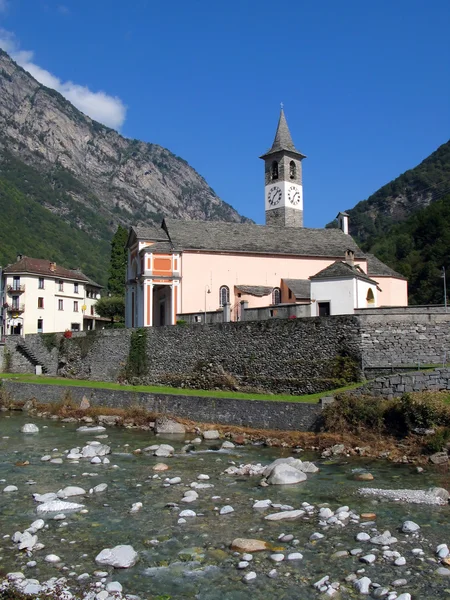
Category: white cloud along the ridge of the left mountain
[109,110]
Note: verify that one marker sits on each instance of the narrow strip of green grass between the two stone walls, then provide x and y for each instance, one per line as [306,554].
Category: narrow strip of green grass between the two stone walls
[154,389]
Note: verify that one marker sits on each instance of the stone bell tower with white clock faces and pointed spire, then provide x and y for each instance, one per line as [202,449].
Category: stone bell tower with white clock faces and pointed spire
[283,179]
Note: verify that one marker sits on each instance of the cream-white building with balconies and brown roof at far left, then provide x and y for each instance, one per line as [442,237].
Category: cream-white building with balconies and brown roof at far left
[40,296]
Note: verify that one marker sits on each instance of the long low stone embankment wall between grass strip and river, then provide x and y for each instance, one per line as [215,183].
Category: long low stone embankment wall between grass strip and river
[257,414]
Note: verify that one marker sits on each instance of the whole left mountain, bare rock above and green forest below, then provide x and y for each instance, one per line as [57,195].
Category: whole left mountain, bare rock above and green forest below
[73,180]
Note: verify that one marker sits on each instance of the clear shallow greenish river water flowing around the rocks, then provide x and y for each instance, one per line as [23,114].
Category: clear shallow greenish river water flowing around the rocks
[194,560]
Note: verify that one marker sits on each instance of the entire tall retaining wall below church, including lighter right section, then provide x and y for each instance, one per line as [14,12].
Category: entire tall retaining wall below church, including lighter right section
[279,355]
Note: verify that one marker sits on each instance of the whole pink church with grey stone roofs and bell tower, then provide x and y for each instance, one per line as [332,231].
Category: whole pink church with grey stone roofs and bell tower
[209,271]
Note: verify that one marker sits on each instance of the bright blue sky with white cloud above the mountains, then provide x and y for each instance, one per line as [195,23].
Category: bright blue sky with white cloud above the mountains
[365,86]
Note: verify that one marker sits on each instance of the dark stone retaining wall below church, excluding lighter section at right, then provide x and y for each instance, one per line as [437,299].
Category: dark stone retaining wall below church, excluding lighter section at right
[298,355]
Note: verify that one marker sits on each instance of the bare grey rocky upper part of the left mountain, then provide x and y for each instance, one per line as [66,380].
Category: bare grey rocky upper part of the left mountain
[123,180]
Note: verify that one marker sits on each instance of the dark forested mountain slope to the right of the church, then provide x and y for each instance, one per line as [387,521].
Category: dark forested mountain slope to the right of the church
[406,225]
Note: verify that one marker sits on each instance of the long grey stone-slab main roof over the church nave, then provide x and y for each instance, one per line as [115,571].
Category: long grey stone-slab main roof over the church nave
[216,236]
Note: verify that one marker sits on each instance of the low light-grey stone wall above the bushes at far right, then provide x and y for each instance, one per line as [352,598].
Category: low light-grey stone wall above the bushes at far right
[396,385]
